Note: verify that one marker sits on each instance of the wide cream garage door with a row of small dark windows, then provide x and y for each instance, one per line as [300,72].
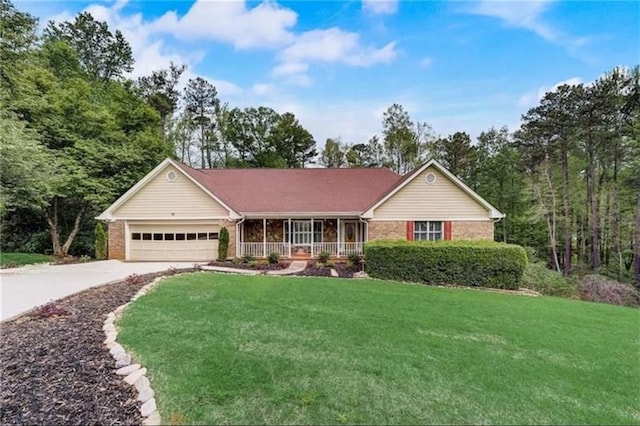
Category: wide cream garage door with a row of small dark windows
[173,242]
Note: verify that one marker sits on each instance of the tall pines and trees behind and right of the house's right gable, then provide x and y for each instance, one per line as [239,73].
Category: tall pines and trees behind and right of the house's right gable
[568,177]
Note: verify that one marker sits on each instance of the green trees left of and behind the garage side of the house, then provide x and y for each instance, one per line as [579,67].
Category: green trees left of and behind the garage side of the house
[77,133]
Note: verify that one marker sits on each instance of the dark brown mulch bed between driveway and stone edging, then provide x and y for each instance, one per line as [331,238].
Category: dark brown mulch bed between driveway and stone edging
[55,369]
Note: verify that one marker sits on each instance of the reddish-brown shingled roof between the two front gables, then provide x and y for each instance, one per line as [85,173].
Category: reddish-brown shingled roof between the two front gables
[290,191]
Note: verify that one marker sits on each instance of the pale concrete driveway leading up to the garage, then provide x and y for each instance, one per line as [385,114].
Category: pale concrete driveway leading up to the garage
[22,289]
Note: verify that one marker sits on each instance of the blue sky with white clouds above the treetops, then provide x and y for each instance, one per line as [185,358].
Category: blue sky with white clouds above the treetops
[459,66]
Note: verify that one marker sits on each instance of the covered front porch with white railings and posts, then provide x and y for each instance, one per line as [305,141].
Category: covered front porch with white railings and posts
[301,238]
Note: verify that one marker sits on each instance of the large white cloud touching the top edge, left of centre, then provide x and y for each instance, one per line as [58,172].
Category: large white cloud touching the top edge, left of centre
[263,26]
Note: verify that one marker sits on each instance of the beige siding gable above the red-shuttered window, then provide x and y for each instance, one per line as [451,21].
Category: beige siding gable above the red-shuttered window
[443,200]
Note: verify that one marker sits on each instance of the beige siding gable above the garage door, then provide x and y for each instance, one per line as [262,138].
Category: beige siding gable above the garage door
[160,198]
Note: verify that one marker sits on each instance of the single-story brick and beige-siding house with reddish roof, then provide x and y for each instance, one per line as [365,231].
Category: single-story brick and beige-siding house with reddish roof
[176,212]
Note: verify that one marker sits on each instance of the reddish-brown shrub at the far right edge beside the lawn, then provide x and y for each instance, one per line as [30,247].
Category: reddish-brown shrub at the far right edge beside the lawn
[597,288]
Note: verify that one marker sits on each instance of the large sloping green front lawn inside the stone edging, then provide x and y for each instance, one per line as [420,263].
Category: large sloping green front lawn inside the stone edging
[254,350]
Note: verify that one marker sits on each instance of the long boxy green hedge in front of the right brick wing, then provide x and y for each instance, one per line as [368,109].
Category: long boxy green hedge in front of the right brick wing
[470,263]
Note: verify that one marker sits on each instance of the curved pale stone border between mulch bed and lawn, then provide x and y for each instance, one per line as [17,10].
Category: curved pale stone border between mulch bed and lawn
[133,374]
